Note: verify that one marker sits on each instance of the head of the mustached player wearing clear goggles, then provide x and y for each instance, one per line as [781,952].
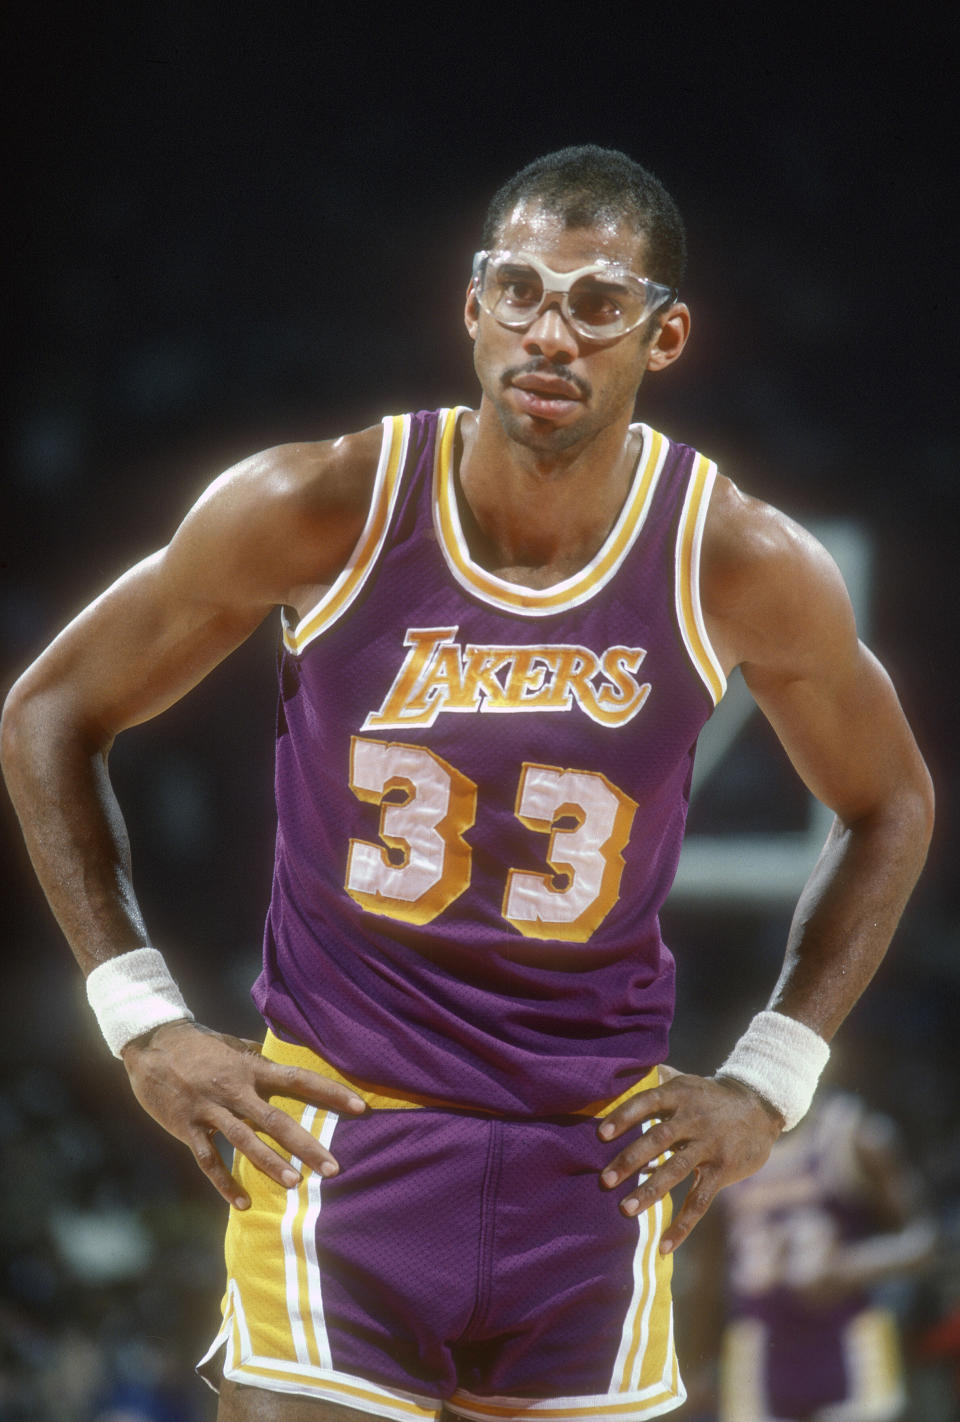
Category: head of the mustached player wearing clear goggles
[574,301]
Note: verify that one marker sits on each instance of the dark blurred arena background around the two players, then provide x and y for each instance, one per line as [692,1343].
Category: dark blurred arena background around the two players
[233,227]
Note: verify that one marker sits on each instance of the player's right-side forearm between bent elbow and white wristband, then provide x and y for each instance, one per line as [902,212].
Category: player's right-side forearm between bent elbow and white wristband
[850,911]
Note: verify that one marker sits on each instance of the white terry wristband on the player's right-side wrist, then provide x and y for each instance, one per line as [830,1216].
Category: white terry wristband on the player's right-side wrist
[783,1062]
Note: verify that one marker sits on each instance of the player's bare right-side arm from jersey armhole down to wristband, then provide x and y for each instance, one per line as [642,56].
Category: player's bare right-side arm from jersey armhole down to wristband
[784,616]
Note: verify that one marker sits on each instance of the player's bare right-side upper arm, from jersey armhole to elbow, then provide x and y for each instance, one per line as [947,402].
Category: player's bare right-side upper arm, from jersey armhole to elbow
[776,605]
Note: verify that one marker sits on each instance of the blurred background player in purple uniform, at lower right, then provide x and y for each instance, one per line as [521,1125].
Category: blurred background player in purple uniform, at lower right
[830,1217]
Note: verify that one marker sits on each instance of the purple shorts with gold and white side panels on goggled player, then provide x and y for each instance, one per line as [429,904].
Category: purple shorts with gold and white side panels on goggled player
[457,1261]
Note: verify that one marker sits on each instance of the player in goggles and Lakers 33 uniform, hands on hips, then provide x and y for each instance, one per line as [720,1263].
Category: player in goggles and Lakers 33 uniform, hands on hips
[503,632]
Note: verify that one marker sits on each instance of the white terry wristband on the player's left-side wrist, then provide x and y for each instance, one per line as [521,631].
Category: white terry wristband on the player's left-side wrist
[132,995]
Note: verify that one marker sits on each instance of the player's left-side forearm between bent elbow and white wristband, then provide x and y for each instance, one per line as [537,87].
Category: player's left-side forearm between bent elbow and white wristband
[73,827]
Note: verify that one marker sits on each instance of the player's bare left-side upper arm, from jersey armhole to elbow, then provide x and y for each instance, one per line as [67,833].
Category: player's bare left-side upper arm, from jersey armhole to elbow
[274,524]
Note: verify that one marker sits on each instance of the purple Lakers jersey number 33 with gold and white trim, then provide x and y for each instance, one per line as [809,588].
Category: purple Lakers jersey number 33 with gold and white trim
[481,794]
